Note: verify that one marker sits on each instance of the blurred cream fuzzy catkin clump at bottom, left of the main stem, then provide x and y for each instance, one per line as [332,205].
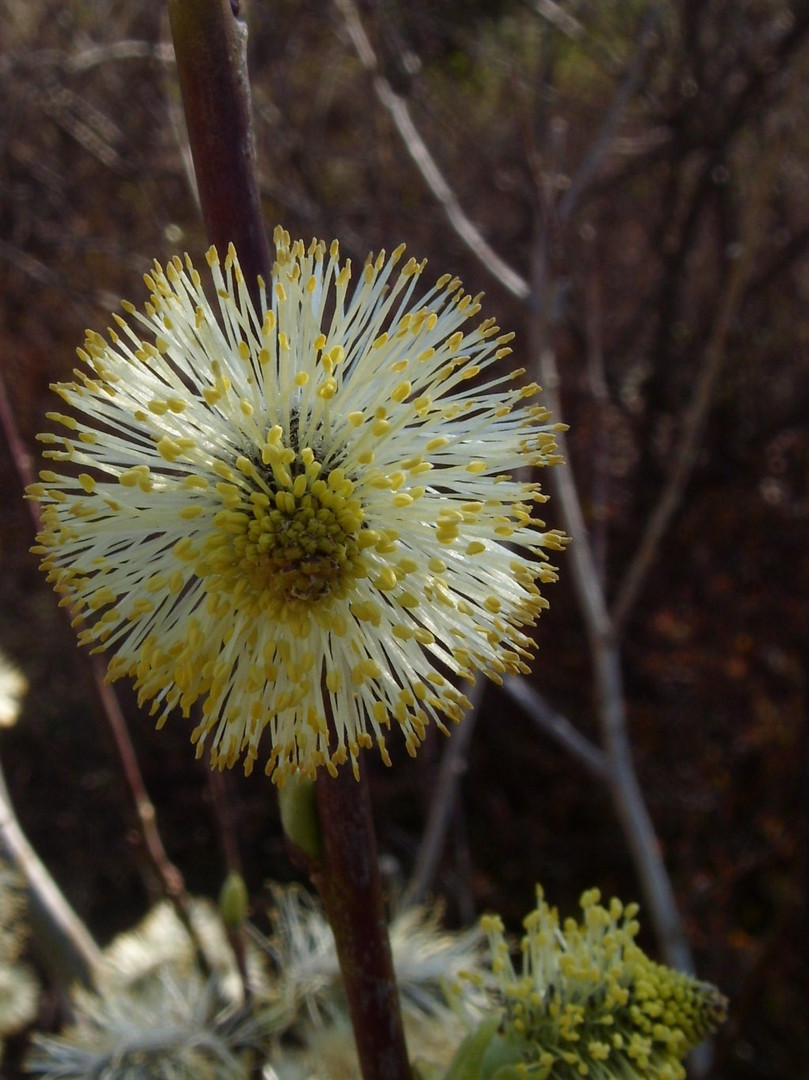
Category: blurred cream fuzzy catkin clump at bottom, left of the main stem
[154,1015]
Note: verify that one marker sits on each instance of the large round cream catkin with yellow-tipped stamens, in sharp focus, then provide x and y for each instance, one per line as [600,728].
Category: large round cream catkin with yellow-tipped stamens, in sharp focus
[305,514]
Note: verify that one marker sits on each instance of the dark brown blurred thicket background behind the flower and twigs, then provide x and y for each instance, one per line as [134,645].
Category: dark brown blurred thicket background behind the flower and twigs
[646,168]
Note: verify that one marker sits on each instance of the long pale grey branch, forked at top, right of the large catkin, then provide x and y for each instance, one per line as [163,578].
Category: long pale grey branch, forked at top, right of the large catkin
[605,649]
